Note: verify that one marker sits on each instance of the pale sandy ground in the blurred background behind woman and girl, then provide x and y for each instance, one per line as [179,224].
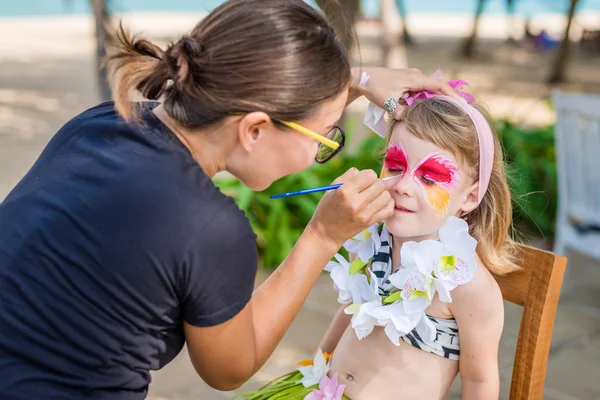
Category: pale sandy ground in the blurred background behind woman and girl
[47,76]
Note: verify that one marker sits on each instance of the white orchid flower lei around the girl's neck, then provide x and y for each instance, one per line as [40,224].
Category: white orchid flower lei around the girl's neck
[427,267]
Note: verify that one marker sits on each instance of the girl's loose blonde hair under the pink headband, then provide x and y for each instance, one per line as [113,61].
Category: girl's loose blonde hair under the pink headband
[447,126]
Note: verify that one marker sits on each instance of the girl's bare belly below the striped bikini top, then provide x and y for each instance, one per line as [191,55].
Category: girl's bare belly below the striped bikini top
[373,369]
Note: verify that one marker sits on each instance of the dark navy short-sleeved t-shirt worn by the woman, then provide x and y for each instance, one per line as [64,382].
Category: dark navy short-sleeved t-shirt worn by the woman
[113,239]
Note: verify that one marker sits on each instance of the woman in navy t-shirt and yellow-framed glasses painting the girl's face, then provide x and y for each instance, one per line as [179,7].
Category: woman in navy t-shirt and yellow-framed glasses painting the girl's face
[116,248]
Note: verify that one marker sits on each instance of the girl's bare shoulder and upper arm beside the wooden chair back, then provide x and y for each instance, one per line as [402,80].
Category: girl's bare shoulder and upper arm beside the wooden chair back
[479,312]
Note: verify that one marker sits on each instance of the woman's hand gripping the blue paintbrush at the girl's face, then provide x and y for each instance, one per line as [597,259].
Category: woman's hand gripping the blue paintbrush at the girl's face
[360,202]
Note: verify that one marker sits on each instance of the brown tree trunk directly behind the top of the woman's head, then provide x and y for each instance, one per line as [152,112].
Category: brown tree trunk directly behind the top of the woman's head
[343,21]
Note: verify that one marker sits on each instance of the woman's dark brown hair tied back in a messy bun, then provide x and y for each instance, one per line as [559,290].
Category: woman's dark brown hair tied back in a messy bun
[276,56]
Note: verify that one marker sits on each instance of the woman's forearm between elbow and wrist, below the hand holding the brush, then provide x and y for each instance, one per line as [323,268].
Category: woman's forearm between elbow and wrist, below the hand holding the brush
[277,301]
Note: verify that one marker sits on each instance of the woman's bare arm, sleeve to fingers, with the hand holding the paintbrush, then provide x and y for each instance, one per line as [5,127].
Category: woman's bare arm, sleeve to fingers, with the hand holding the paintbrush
[227,355]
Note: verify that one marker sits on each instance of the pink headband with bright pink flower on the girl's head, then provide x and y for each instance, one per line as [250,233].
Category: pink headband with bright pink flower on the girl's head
[374,120]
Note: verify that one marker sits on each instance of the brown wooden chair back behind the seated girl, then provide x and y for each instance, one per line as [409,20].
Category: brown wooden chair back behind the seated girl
[536,288]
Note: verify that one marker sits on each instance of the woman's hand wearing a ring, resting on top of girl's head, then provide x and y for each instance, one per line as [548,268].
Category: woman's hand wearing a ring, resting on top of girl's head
[384,83]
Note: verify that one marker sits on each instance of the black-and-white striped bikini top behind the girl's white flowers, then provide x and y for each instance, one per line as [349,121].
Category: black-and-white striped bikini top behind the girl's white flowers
[446,343]
